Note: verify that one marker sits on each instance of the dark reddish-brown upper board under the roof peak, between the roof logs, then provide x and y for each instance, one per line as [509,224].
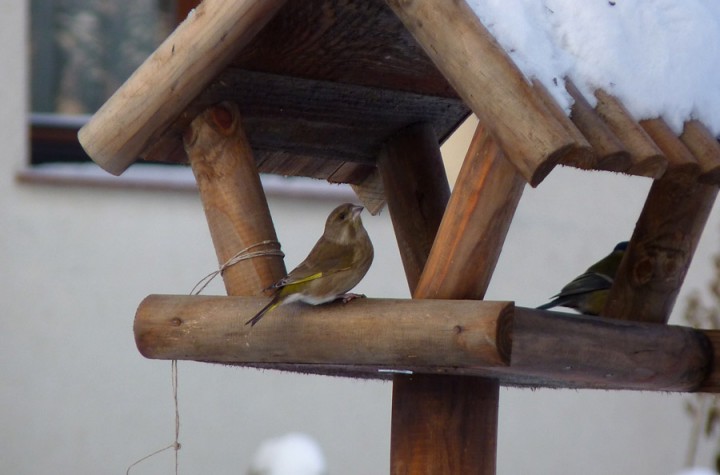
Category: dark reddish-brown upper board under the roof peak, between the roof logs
[347,42]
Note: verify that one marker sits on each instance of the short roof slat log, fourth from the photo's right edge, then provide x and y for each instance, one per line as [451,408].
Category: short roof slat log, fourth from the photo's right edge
[609,150]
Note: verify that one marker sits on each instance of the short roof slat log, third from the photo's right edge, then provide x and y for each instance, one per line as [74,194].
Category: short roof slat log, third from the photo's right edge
[647,159]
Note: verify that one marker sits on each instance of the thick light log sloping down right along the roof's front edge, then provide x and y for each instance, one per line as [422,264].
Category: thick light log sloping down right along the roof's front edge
[490,84]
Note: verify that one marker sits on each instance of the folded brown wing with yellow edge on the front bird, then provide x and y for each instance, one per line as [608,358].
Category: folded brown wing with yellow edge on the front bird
[325,258]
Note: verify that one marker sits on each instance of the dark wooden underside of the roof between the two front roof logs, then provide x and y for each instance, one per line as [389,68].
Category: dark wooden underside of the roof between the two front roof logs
[320,101]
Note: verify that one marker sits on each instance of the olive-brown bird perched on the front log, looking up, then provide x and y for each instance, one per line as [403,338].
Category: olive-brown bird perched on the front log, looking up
[337,262]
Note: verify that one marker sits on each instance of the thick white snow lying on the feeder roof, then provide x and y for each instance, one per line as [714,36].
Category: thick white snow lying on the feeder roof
[659,57]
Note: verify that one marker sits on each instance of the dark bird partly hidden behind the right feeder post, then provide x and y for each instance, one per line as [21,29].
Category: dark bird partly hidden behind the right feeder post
[588,292]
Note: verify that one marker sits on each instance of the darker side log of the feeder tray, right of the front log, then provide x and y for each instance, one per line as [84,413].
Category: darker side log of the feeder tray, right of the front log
[595,352]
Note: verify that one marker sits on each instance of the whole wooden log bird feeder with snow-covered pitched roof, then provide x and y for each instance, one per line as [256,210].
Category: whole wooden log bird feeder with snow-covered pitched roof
[363,92]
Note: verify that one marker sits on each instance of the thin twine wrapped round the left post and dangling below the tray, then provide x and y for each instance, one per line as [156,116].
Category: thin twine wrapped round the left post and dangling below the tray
[199,287]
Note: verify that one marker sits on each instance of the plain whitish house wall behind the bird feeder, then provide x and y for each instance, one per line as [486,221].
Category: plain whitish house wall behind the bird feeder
[77,397]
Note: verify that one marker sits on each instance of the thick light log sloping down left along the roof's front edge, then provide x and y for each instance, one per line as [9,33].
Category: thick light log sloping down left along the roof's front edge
[145,106]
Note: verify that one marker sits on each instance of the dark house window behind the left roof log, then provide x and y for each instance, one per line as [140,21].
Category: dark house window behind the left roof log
[81,52]
